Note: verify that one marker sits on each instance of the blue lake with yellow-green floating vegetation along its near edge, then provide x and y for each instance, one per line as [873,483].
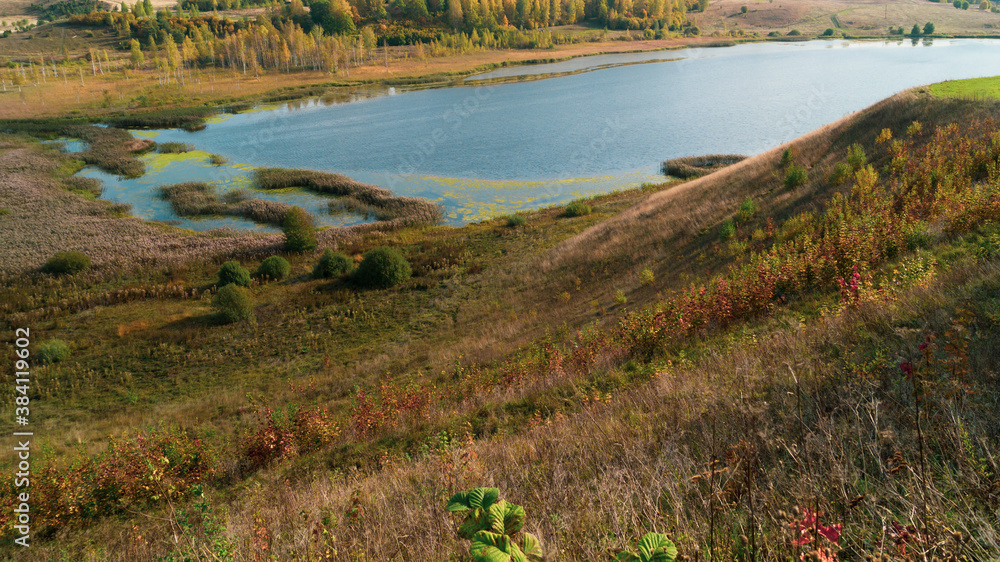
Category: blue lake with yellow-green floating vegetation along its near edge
[486,148]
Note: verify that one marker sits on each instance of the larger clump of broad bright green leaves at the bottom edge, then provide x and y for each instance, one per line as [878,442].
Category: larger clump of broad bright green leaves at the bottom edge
[494,527]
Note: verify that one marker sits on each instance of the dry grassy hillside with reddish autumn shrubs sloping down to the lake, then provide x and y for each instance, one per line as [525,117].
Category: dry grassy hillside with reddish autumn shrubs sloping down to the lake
[809,330]
